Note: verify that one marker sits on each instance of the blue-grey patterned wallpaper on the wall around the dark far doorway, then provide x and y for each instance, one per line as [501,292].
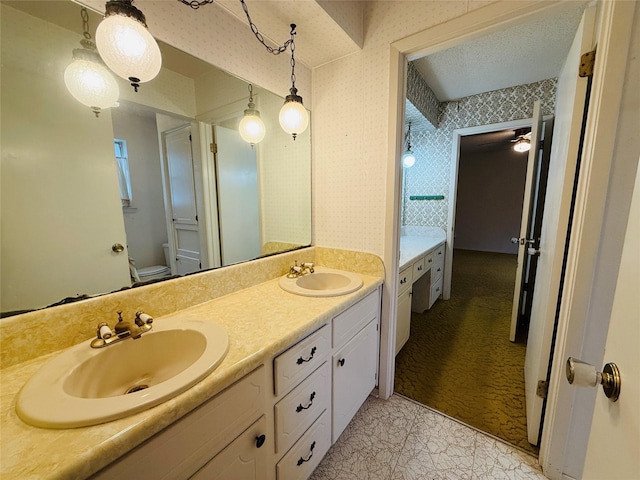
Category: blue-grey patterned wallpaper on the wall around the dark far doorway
[430,175]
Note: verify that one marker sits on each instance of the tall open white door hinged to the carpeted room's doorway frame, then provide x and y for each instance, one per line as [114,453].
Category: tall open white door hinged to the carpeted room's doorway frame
[570,102]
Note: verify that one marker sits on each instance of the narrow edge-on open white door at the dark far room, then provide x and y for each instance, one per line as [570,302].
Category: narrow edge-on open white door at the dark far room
[527,212]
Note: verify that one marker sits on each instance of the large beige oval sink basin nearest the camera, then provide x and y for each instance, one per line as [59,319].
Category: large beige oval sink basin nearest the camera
[85,386]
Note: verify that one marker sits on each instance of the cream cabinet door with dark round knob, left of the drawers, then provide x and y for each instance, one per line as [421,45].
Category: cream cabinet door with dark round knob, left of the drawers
[243,459]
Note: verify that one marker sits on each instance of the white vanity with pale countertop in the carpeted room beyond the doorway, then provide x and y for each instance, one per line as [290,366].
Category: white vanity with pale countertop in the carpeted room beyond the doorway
[422,254]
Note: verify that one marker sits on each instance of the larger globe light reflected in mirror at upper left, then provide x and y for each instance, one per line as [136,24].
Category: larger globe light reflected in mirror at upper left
[87,78]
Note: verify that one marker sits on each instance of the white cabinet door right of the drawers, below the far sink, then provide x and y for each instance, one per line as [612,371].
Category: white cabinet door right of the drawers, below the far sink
[355,369]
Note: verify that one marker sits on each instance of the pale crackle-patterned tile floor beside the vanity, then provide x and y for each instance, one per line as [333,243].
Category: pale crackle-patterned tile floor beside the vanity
[399,439]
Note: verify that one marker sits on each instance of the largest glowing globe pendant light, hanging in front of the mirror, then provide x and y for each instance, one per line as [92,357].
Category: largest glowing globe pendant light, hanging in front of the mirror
[125,44]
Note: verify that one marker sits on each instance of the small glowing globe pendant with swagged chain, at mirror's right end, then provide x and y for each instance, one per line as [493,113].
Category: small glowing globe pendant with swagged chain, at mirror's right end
[294,118]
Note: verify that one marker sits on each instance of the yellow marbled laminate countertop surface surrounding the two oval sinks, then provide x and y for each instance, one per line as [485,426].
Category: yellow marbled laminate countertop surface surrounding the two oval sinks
[261,322]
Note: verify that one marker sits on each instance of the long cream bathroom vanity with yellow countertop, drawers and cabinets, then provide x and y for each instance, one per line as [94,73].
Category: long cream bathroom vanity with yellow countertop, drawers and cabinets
[297,370]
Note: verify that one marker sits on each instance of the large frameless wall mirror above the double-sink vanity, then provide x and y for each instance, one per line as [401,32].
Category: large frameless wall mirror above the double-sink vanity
[164,174]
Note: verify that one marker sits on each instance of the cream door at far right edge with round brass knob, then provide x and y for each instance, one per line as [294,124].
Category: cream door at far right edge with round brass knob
[614,441]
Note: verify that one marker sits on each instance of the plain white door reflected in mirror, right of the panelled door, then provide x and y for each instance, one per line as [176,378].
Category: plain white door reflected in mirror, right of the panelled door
[238,204]
